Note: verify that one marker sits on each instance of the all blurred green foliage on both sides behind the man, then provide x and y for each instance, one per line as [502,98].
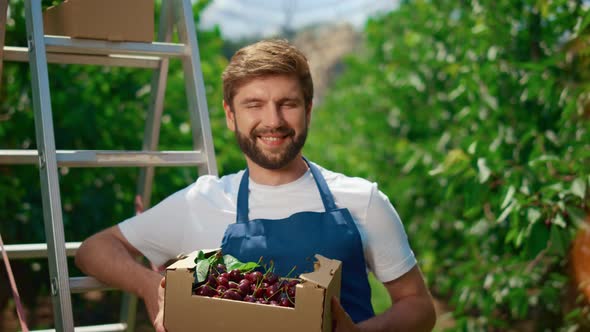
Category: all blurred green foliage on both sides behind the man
[473,116]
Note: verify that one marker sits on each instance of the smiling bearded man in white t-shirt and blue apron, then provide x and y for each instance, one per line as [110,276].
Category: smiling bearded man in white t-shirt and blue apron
[283,207]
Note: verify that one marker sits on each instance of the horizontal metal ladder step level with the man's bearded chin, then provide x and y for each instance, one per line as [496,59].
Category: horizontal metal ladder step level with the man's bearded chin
[106,158]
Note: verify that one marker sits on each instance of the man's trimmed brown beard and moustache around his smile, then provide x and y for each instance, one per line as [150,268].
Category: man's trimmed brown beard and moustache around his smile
[271,160]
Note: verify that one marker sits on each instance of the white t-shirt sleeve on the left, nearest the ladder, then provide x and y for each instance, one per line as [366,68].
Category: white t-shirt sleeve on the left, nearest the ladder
[158,231]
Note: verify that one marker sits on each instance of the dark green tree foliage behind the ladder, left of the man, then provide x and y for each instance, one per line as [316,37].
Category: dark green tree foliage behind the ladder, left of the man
[104,108]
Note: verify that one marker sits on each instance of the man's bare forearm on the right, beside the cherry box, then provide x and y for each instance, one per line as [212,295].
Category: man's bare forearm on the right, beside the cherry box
[412,309]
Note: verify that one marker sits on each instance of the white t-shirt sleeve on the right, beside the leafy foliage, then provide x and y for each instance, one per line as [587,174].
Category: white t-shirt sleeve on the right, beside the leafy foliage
[388,251]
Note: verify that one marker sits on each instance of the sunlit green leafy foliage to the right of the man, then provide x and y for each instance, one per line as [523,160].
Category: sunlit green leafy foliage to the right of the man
[473,118]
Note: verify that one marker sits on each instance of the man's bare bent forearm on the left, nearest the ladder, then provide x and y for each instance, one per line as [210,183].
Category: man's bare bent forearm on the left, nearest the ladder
[111,259]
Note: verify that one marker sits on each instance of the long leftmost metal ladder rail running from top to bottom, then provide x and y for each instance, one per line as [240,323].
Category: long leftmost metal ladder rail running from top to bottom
[52,213]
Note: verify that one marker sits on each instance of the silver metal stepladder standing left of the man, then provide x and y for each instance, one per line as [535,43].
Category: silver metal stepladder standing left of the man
[41,49]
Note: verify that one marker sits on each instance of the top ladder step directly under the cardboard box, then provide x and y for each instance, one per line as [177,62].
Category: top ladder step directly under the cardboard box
[61,44]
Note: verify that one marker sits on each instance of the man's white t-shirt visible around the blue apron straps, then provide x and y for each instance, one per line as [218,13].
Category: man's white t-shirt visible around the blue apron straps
[196,217]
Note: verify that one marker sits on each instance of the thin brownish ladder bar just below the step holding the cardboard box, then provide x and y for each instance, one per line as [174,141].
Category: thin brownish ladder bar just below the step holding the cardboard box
[21,54]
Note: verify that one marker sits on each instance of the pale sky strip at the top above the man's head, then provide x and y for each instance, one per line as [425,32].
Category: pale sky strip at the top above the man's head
[243,18]
